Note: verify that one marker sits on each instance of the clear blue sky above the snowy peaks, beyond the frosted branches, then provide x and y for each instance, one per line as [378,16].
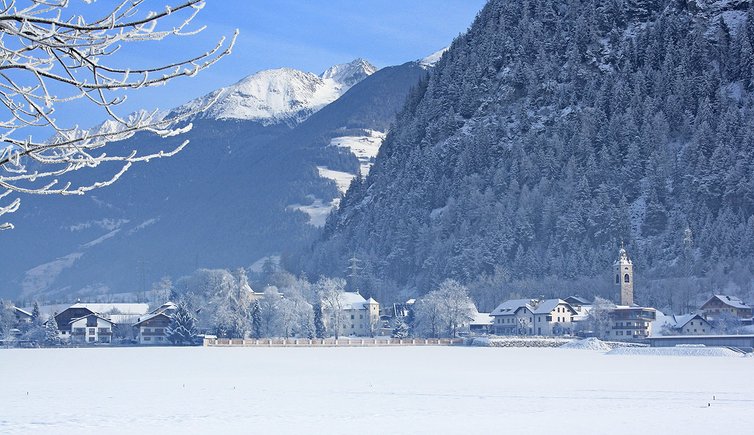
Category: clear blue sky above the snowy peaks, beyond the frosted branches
[303,34]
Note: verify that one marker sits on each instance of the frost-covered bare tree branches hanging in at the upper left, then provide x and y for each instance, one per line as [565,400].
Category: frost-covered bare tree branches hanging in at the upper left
[50,56]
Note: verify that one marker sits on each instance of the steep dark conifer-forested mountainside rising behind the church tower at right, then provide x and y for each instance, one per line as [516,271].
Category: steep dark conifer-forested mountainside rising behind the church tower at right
[551,132]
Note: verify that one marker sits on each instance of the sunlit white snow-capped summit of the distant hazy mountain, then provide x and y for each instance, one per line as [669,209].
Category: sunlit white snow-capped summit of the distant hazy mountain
[282,95]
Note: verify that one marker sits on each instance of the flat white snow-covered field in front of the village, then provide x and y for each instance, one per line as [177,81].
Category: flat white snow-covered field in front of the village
[406,390]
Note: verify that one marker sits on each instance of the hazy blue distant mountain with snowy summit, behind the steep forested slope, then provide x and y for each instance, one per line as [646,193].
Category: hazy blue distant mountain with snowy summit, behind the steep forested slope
[252,183]
